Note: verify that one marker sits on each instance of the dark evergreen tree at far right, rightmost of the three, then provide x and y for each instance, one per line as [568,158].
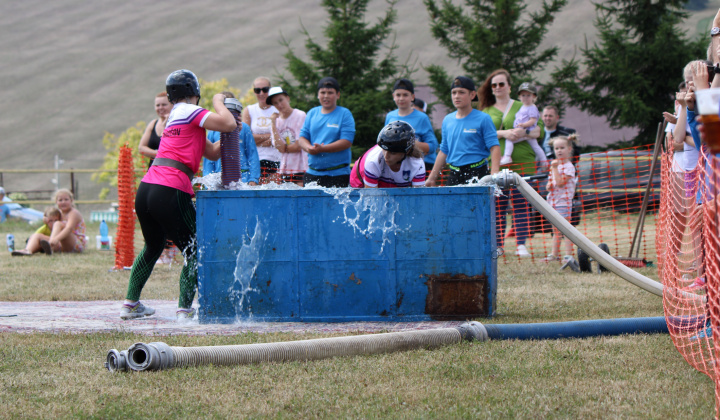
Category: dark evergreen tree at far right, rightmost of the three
[631,75]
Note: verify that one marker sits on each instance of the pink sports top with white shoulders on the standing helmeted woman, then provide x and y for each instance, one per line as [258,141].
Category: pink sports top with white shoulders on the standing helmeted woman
[183,140]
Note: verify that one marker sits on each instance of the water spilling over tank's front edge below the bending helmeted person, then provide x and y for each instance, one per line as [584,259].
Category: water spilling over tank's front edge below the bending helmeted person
[377,210]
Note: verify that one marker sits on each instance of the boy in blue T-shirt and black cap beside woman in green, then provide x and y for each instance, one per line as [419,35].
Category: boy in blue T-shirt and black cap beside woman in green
[469,138]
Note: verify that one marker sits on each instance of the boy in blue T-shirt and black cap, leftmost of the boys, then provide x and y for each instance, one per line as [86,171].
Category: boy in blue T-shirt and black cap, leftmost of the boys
[326,135]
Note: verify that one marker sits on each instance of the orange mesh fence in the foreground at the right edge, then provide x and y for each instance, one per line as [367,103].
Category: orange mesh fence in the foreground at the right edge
[688,253]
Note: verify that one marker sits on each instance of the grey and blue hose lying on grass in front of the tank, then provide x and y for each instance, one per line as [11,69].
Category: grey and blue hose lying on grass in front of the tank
[160,356]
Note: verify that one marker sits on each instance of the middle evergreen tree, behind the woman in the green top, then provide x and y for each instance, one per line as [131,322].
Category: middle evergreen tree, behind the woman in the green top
[485,35]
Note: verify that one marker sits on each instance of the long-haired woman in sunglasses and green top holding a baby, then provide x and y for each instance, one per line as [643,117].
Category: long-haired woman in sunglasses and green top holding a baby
[495,101]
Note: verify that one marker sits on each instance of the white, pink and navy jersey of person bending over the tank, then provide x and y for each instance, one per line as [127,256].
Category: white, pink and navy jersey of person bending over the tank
[371,170]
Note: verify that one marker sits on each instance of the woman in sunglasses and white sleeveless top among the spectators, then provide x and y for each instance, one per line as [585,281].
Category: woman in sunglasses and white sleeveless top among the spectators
[259,117]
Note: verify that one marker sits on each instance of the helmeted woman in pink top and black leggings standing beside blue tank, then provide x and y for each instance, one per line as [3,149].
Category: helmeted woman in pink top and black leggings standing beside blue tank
[163,203]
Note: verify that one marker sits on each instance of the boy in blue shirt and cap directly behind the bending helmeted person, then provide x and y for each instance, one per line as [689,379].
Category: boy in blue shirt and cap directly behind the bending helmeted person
[404,97]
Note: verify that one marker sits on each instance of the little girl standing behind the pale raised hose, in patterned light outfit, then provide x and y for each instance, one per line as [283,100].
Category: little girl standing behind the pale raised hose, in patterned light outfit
[561,186]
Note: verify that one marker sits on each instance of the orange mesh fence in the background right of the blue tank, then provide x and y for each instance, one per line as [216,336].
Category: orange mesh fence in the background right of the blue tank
[606,207]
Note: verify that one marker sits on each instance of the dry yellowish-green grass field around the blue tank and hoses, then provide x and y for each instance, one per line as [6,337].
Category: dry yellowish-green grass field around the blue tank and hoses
[644,376]
